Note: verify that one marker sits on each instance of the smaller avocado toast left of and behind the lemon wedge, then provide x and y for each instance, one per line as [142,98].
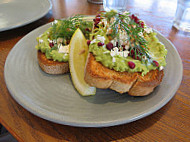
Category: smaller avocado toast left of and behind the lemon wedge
[53,44]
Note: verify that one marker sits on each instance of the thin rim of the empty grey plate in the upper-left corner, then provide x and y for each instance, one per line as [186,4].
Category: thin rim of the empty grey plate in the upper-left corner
[29,21]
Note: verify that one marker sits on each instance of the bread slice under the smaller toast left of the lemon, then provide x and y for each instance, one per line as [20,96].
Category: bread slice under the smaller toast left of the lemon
[50,66]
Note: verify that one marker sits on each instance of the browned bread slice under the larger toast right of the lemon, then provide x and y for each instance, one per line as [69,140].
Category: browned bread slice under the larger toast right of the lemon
[136,85]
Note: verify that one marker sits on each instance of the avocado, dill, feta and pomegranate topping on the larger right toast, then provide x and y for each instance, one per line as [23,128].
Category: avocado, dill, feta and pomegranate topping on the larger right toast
[124,43]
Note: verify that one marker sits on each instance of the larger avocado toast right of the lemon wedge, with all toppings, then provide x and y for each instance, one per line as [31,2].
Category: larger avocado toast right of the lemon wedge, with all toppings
[125,55]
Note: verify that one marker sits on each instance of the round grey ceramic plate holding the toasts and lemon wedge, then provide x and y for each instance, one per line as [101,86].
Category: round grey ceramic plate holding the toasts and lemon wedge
[54,98]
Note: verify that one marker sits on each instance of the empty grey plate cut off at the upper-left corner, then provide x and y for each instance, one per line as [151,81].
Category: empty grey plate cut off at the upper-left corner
[16,13]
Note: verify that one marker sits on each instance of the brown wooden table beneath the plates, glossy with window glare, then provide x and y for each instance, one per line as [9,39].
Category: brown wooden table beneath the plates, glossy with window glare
[171,123]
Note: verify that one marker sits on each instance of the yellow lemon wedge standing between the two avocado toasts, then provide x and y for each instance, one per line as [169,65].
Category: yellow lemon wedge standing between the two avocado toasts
[77,59]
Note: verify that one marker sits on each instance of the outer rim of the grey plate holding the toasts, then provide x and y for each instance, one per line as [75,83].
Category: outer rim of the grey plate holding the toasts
[106,124]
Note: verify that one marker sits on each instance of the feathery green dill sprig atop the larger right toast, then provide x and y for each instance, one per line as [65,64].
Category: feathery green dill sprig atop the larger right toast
[137,43]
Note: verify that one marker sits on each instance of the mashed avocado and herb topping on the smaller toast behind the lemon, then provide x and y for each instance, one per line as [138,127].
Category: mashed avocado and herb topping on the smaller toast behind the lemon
[54,42]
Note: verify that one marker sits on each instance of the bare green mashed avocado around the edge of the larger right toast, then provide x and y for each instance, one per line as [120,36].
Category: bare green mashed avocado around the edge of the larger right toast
[156,50]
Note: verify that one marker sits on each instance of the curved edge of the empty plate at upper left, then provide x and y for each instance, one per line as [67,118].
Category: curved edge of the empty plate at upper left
[26,23]
